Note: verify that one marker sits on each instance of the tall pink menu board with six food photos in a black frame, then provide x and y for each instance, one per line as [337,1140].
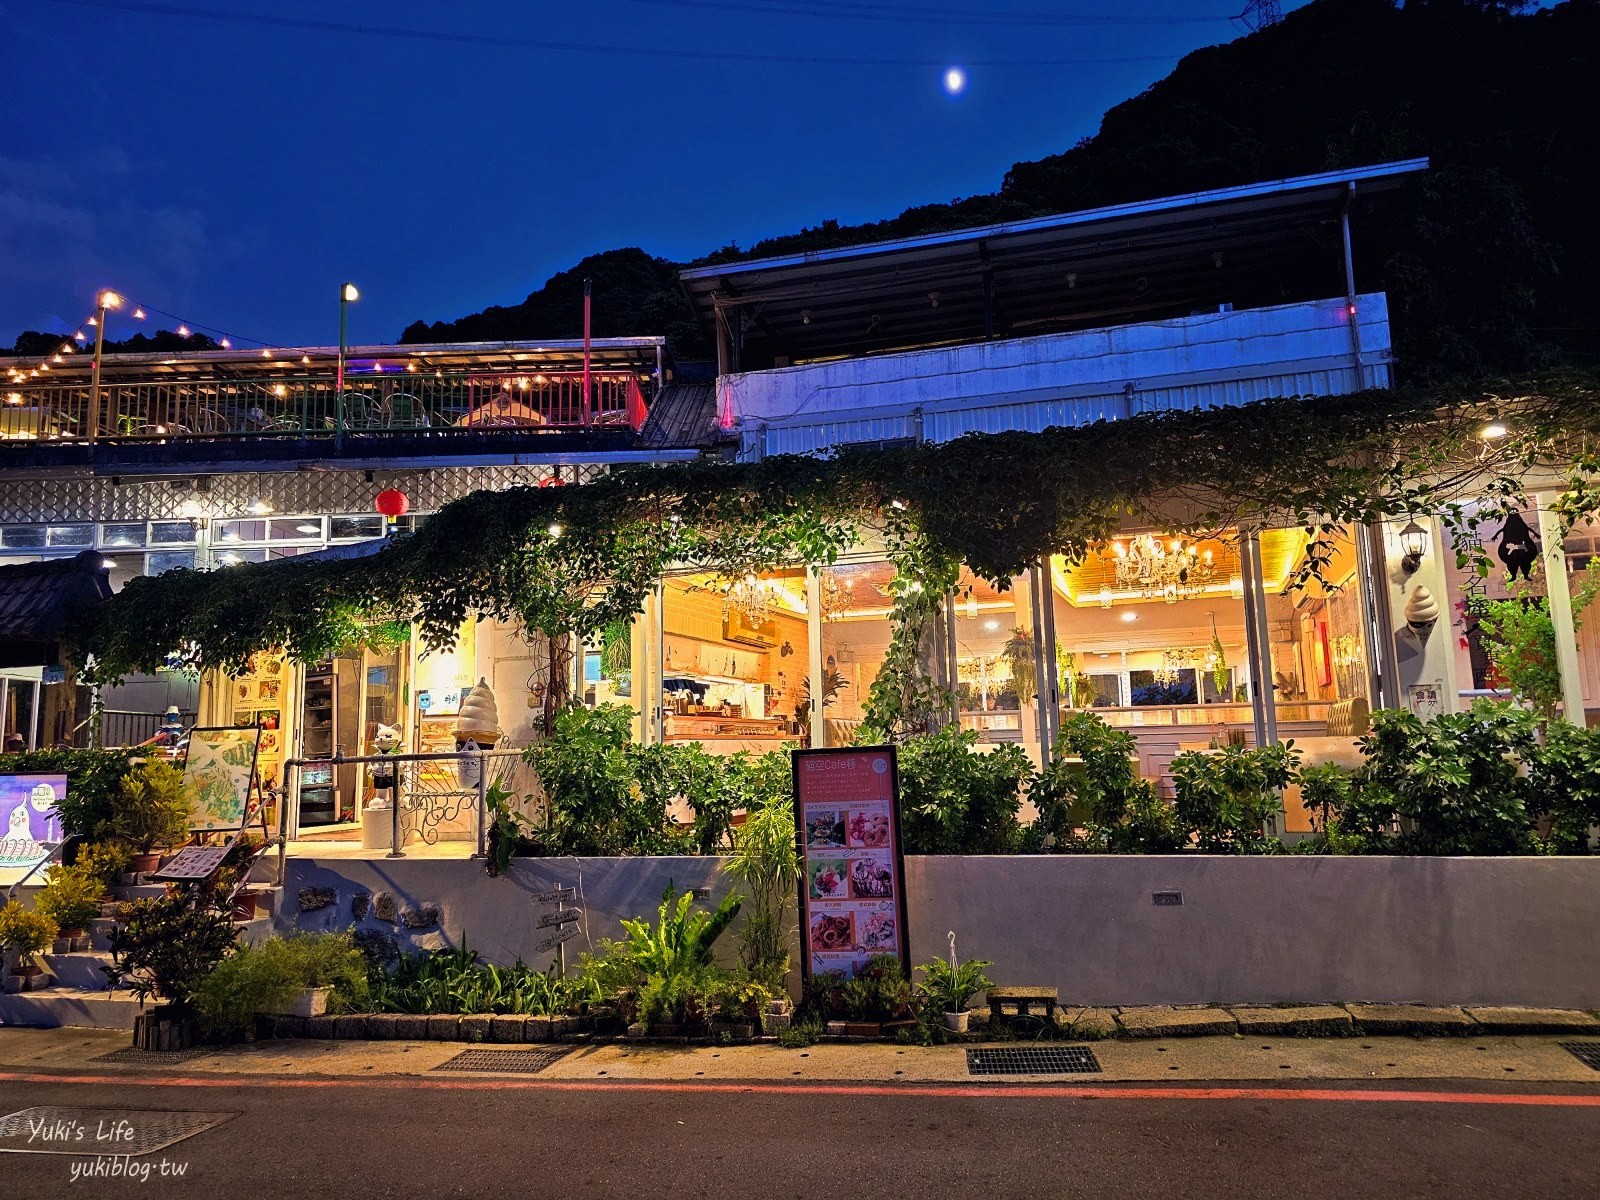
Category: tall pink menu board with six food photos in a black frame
[854,876]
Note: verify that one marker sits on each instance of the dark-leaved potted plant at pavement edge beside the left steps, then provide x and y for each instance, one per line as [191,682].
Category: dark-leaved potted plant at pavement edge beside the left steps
[166,950]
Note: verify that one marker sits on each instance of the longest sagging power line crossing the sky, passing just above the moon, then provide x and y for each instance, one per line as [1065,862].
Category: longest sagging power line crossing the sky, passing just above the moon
[502,41]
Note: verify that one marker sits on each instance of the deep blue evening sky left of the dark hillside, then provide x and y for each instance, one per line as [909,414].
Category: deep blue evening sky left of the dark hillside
[236,174]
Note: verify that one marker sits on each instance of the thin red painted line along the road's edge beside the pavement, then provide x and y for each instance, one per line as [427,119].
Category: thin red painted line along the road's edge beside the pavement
[950,1090]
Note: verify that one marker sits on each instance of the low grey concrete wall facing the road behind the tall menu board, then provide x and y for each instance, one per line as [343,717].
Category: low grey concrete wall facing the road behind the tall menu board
[1433,930]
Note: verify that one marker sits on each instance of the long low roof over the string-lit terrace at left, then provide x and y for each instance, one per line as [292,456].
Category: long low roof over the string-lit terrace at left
[607,354]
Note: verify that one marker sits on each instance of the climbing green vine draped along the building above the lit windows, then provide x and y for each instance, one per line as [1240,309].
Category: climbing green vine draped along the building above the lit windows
[578,559]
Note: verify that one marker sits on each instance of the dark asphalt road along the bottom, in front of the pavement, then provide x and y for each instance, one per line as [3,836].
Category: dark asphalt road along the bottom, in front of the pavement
[350,1140]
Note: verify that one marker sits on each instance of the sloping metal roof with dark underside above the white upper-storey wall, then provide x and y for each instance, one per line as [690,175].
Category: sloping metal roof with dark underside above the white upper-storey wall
[1247,246]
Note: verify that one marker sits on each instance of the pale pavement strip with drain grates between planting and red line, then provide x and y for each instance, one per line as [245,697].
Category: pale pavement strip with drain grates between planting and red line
[1532,1058]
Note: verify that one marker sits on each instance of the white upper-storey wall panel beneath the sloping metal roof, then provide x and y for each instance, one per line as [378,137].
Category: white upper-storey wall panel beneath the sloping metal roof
[1215,359]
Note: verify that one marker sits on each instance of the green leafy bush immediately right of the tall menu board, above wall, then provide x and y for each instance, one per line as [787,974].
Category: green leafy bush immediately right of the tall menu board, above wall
[956,799]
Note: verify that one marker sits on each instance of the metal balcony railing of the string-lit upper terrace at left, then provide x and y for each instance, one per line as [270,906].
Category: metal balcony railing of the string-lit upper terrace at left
[314,409]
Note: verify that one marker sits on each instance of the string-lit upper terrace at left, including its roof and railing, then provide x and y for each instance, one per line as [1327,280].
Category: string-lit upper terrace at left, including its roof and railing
[399,402]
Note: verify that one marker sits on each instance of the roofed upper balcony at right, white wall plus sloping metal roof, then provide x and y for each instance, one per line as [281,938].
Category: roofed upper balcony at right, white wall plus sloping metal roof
[1185,302]
